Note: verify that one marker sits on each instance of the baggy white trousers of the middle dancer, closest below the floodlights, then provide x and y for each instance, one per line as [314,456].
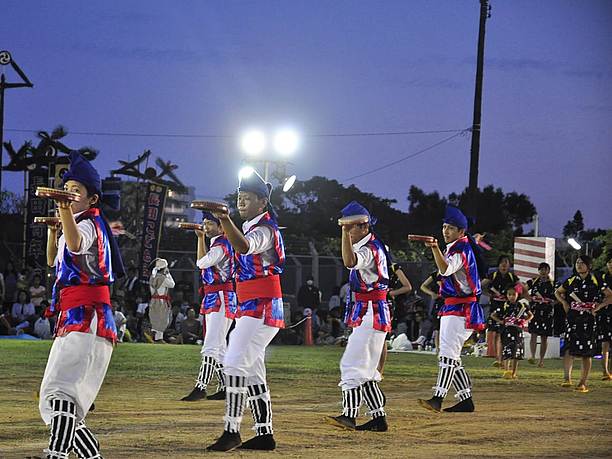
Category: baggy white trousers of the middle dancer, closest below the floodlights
[247,349]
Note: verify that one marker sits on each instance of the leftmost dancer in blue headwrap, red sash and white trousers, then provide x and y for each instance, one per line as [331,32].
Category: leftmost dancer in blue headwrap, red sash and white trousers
[87,261]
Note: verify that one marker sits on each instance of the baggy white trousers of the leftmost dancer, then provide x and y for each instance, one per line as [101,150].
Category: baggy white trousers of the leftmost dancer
[75,370]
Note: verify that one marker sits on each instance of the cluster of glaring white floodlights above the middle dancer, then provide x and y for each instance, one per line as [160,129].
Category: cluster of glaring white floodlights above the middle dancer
[285,142]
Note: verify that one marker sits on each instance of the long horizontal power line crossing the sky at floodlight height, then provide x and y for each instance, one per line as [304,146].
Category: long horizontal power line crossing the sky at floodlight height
[223,136]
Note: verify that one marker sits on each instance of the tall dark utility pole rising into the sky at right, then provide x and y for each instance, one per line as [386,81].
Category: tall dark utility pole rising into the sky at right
[485,13]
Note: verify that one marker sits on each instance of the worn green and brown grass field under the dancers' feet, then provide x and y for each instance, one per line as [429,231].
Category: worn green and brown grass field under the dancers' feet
[138,416]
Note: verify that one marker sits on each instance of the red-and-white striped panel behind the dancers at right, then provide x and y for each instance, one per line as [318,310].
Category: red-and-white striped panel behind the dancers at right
[529,252]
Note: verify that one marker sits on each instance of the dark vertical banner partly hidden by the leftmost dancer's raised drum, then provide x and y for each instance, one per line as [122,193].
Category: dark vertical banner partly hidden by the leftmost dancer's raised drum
[36,234]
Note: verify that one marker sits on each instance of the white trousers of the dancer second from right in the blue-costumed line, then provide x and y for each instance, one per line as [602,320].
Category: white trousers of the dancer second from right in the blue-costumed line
[359,362]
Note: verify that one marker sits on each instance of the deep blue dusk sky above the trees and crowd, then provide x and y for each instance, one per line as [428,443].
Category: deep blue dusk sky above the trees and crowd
[330,67]
